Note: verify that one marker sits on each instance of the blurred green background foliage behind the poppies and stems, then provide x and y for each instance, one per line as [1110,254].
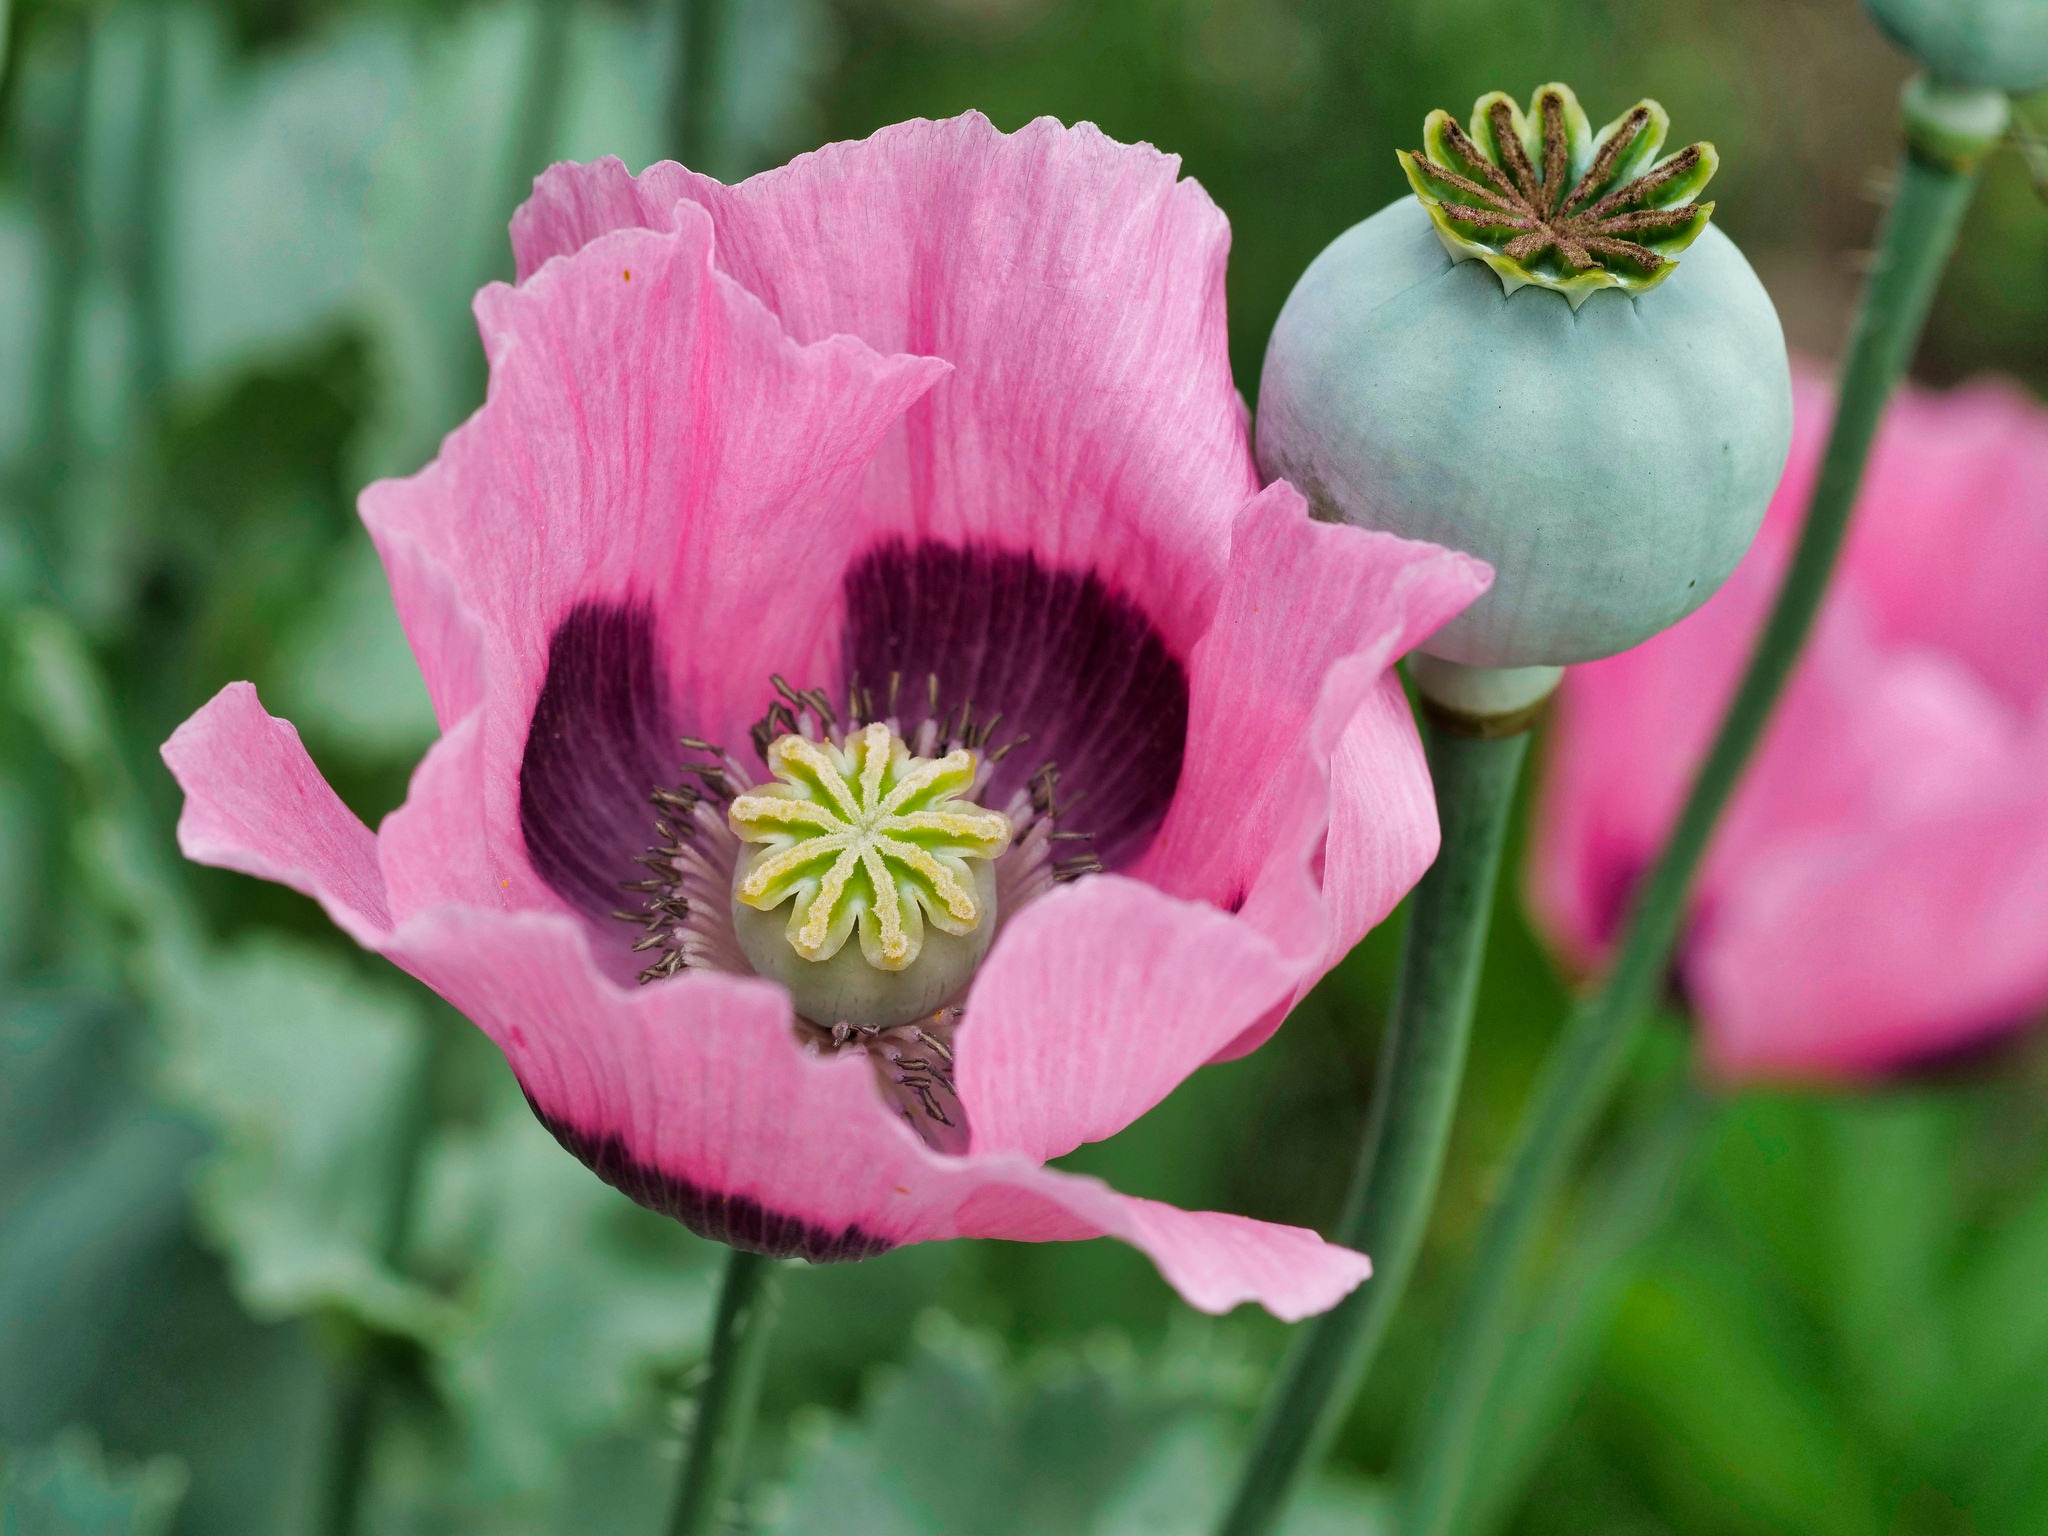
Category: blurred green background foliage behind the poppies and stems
[239,1160]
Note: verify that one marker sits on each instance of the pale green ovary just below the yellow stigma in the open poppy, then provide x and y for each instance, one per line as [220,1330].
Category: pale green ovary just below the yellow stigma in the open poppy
[847,990]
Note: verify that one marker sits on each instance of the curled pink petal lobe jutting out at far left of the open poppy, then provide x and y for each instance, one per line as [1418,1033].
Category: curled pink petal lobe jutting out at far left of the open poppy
[257,804]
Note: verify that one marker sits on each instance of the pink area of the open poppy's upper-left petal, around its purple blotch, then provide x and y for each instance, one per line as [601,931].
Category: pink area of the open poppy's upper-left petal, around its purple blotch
[652,439]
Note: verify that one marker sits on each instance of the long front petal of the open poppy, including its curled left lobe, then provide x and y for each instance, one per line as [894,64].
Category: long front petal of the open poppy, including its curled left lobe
[695,1095]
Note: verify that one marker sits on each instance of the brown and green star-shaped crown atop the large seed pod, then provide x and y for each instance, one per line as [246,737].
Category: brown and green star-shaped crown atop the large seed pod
[1545,202]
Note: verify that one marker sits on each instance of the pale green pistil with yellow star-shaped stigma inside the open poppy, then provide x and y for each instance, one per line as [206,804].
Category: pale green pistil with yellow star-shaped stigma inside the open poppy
[867,839]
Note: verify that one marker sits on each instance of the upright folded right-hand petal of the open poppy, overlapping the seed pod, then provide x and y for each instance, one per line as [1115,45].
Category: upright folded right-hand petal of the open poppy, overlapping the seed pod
[1291,685]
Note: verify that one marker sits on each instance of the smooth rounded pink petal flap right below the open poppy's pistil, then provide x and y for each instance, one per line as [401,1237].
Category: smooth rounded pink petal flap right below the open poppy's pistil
[1097,1002]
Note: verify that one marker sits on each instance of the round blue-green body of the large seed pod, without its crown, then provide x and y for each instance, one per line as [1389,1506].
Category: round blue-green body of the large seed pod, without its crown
[1613,464]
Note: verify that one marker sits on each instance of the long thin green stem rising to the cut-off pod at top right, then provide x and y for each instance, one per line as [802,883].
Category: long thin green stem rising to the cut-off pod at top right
[1934,191]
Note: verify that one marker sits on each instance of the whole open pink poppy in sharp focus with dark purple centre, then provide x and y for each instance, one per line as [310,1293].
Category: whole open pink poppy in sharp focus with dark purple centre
[843,556]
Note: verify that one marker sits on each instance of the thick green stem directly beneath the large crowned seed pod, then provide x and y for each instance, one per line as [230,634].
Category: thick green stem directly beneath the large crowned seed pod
[1414,1097]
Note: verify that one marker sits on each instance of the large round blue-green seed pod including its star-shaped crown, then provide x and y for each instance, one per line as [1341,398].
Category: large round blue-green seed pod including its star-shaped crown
[1517,364]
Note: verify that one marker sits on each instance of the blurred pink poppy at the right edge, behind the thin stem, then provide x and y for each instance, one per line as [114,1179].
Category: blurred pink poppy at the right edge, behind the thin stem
[1879,892]
